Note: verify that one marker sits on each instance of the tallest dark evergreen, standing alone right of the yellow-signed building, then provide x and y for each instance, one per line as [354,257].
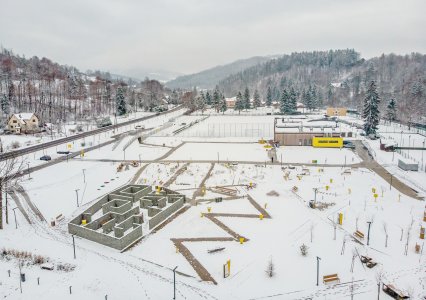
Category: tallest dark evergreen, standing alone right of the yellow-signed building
[370,112]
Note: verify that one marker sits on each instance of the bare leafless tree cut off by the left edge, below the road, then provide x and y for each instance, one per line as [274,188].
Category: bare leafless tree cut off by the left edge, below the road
[10,175]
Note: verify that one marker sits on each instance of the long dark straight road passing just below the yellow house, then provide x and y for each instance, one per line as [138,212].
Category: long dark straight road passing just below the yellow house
[64,140]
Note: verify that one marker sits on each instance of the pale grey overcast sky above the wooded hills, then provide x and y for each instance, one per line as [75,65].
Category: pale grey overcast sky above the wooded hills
[187,36]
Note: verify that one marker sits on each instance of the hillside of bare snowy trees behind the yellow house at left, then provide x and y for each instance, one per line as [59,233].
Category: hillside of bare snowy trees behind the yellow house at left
[59,92]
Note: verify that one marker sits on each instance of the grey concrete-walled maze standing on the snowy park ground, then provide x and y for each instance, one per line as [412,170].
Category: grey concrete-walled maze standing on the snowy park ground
[116,219]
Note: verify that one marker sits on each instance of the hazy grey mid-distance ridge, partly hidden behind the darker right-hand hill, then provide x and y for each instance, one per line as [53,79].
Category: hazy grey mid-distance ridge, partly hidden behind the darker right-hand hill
[209,78]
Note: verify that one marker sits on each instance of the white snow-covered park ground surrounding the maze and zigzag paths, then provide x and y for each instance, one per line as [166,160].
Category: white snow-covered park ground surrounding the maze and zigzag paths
[145,270]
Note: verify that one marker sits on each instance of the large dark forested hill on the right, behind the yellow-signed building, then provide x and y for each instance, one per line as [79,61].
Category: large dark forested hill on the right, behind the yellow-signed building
[339,77]
